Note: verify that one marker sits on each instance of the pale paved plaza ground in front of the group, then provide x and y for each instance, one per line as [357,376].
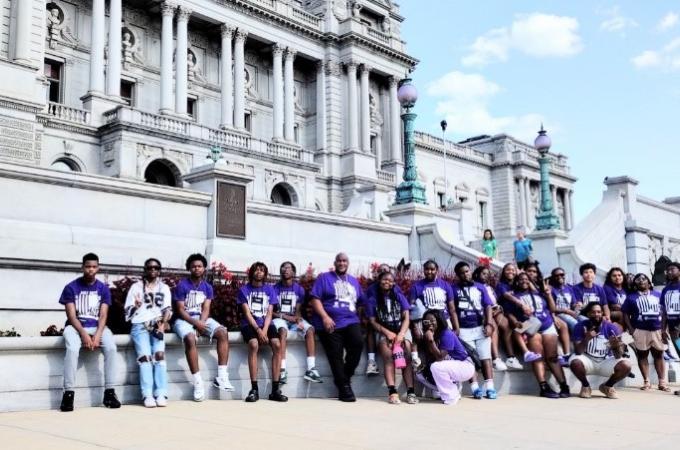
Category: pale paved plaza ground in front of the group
[636,420]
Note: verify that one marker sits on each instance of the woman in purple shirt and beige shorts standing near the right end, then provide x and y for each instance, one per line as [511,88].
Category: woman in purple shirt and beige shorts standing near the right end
[642,314]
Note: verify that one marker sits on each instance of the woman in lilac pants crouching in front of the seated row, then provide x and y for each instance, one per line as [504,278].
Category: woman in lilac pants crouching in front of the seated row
[449,362]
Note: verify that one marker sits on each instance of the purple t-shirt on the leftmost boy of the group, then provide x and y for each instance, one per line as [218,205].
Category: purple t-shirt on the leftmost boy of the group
[87,299]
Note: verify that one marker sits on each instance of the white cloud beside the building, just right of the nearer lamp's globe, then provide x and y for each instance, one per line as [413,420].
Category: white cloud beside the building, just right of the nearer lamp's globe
[463,99]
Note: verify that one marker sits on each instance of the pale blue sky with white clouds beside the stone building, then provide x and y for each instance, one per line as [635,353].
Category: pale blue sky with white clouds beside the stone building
[602,76]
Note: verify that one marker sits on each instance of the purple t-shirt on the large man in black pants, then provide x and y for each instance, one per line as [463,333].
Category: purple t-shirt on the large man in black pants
[340,295]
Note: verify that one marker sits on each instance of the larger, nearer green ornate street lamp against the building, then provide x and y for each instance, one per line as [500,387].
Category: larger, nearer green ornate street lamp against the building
[410,190]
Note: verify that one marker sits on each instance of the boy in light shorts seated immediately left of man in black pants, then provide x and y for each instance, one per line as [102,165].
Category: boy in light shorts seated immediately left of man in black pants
[288,319]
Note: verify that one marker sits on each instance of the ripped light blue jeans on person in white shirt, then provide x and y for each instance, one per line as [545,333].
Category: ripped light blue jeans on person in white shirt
[151,359]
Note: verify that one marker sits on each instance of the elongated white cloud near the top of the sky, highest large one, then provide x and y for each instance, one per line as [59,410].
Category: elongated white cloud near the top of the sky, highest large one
[539,35]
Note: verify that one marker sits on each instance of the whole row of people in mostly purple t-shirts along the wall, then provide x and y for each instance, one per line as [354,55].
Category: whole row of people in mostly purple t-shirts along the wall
[440,333]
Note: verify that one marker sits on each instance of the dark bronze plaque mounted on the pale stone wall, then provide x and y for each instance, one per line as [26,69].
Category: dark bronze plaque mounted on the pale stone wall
[231,210]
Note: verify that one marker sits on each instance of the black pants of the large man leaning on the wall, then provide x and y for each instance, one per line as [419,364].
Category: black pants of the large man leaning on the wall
[335,344]
